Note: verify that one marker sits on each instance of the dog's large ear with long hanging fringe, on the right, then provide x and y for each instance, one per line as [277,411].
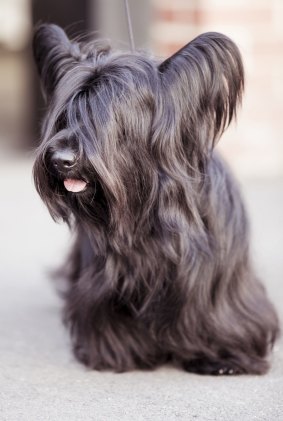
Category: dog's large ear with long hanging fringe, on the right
[205,81]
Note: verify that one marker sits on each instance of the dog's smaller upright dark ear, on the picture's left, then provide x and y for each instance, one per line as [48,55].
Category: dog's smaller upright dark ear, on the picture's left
[54,54]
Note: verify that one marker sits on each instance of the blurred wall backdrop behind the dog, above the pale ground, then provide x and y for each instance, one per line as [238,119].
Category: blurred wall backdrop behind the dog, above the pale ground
[254,147]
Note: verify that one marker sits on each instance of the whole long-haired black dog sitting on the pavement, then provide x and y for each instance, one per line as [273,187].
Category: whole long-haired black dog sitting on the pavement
[160,270]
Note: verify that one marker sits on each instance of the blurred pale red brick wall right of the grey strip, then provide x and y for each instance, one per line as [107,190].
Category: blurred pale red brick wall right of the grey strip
[255,146]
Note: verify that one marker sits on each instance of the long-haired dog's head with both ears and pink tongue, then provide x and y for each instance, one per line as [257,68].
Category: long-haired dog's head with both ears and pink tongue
[124,133]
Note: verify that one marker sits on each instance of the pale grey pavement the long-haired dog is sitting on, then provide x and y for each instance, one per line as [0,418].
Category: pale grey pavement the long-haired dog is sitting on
[39,379]
